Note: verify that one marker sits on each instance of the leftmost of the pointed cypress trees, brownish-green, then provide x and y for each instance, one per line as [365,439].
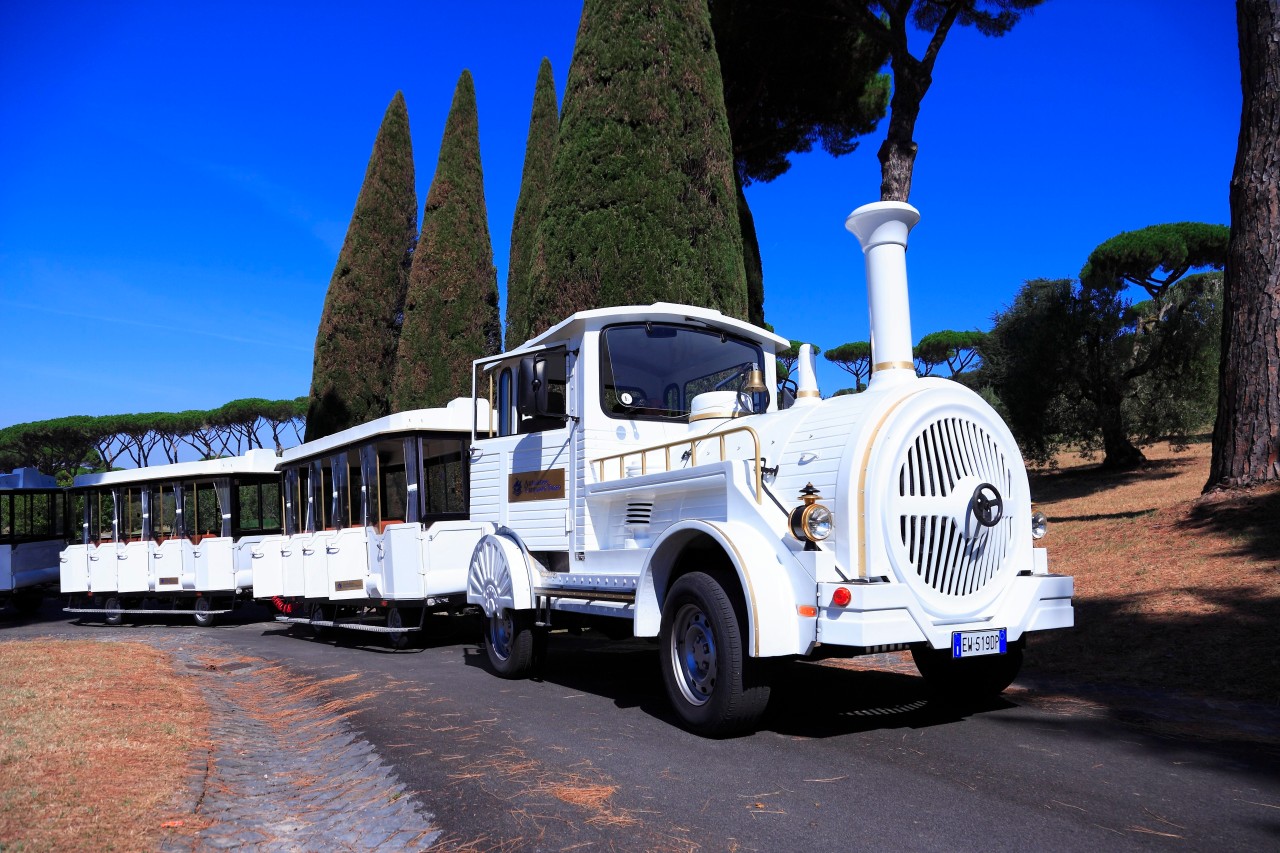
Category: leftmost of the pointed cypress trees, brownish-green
[355,354]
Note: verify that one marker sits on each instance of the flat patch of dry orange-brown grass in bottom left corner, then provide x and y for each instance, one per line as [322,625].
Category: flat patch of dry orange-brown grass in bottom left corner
[95,741]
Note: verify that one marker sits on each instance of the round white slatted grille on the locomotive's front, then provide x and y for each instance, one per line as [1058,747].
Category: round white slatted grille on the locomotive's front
[953,558]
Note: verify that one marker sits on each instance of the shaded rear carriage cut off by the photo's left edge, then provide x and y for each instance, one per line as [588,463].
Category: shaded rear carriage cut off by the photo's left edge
[33,531]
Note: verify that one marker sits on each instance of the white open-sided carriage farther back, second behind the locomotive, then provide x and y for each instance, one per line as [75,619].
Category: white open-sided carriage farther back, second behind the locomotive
[176,539]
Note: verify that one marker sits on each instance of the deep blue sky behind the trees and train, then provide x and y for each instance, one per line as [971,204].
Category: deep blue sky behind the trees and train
[176,181]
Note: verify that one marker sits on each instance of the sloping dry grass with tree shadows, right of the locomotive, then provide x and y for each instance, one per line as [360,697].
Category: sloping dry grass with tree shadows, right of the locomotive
[1173,590]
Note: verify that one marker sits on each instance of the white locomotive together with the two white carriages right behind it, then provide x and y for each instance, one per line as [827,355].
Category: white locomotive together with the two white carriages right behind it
[629,468]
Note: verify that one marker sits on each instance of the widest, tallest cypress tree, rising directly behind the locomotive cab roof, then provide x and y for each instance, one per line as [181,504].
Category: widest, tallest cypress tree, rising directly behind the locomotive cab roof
[643,204]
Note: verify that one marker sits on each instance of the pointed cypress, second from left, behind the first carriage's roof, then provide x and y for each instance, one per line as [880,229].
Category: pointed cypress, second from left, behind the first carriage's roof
[451,312]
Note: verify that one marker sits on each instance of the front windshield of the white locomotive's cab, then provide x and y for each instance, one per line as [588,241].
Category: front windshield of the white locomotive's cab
[655,372]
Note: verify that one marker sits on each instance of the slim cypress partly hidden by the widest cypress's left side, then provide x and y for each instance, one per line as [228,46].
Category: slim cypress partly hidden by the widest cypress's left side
[536,181]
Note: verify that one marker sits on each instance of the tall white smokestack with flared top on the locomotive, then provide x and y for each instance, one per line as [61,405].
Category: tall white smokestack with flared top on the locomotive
[883,230]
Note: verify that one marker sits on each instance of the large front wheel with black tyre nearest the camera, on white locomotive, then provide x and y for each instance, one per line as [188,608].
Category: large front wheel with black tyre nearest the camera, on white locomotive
[712,683]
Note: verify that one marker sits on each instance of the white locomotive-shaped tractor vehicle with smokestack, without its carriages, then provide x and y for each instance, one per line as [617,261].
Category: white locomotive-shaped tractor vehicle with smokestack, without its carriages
[642,471]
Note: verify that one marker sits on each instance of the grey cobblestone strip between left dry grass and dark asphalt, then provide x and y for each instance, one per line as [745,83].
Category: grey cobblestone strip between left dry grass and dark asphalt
[286,770]
